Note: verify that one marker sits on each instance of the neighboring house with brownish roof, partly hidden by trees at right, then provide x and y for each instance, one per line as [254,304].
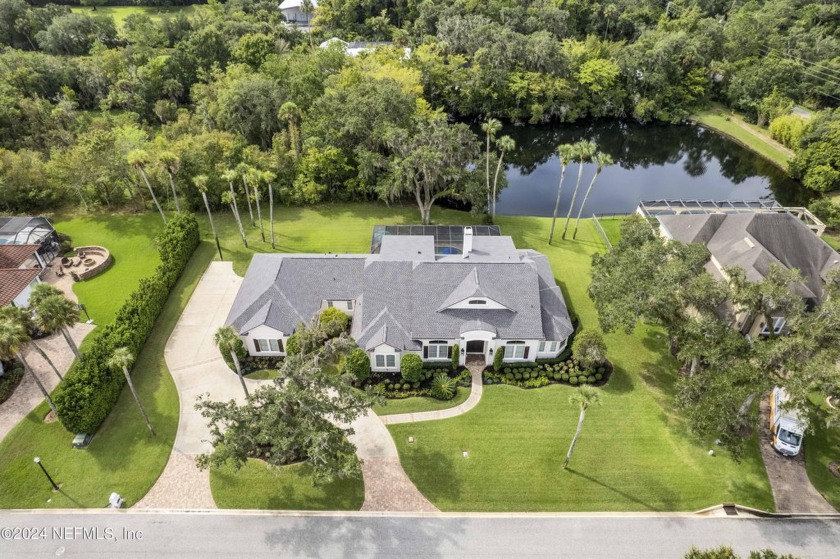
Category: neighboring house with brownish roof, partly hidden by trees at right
[754,241]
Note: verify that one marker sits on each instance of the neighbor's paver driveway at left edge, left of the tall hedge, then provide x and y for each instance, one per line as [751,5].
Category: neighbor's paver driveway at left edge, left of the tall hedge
[27,395]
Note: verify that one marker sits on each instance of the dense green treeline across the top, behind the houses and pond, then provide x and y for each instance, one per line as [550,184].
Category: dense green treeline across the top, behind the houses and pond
[230,93]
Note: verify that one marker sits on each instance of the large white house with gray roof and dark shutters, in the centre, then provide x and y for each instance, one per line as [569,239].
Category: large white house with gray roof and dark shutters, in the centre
[417,293]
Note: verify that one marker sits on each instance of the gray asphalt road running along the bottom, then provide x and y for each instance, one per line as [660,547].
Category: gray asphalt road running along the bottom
[129,534]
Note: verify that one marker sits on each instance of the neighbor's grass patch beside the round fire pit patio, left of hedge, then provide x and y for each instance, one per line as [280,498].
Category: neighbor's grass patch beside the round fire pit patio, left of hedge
[131,240]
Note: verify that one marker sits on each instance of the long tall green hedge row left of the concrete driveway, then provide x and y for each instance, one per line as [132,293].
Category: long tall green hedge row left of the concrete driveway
[91,389]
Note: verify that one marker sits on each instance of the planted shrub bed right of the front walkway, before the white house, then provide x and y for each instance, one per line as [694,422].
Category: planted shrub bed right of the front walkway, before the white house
[550,371]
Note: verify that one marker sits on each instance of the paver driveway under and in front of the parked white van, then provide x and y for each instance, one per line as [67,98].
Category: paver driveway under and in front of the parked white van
[792,490]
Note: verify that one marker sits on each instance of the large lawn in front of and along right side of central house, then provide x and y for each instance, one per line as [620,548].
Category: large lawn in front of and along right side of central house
[635,452]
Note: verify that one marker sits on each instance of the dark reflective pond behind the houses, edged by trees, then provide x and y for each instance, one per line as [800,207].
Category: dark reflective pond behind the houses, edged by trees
[651,162]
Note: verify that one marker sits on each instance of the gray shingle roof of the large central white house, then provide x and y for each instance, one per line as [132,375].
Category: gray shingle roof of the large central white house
[401,301]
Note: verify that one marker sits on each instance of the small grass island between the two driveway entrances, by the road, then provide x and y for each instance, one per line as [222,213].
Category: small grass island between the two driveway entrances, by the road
[259,486]
